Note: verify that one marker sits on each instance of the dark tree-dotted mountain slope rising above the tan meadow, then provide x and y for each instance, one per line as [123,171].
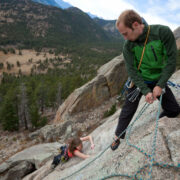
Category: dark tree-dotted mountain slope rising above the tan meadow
[37,24]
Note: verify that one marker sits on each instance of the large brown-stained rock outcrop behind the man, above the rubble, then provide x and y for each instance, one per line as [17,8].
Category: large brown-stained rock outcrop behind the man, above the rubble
[108,82]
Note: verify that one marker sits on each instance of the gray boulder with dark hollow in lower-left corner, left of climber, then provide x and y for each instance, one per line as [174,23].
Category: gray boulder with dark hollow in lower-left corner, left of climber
[28,160]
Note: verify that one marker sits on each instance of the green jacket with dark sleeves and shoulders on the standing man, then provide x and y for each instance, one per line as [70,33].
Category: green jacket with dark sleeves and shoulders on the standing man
[159,60]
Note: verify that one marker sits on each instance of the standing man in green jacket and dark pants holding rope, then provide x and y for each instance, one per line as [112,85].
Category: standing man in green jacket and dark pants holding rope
[157,66]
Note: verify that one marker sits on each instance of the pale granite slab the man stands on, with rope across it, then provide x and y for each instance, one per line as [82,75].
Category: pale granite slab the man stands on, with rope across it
[127,160]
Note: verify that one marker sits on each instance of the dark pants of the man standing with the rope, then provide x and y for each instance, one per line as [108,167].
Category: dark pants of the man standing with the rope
[169,105]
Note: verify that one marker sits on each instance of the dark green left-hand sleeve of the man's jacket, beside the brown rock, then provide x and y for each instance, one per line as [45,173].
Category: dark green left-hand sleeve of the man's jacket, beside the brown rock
[132,71]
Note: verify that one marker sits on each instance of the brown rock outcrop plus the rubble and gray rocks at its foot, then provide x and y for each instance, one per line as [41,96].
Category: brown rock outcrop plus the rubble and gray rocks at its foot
[85,107]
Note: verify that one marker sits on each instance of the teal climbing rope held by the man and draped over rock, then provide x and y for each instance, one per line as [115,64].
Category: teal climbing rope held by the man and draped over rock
[151,157]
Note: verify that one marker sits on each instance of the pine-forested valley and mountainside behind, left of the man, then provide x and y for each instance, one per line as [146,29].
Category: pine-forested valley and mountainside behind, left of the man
[70,33]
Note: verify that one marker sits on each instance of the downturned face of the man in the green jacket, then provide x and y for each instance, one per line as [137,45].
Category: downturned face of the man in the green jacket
[128,33]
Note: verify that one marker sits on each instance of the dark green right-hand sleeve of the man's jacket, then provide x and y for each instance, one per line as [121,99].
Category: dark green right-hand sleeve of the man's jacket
[168,40]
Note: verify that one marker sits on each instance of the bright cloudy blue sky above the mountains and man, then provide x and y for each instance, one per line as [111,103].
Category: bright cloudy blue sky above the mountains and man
[166,12]
